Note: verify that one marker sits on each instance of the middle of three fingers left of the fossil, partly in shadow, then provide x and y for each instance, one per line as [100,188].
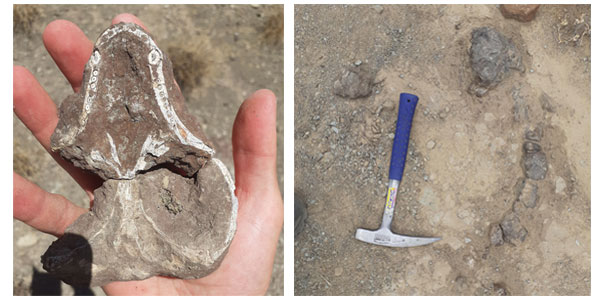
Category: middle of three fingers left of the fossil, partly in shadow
[37,111]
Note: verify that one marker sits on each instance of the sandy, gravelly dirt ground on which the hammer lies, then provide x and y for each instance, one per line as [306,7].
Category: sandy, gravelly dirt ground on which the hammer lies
[465,154]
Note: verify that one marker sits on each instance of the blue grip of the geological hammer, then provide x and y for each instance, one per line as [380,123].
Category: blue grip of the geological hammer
[406,111]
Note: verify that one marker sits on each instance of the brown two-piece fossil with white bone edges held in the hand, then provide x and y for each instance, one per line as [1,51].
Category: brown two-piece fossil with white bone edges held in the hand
[167,206]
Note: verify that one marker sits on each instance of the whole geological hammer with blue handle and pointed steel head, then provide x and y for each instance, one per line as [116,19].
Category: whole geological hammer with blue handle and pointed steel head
[384,235]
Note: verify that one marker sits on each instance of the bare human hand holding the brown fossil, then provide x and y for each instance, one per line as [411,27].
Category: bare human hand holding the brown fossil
[246,269]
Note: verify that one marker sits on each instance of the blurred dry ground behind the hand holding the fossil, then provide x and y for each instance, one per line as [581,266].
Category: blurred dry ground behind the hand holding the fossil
[224,53]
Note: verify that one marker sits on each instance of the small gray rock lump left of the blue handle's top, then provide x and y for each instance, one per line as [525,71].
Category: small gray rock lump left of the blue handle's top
[355,82]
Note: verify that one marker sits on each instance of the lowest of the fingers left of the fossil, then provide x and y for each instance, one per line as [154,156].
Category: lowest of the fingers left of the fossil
[50,213]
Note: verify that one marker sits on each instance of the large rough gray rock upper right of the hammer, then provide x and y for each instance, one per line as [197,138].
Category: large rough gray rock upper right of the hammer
[492,57]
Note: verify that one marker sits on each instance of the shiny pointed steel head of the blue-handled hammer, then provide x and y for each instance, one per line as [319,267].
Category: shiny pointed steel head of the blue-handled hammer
[385,237]
